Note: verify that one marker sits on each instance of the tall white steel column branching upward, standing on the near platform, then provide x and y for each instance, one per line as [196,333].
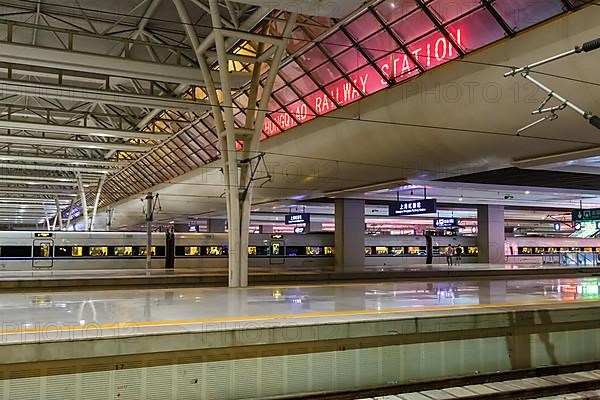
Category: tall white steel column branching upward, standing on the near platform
[237,174]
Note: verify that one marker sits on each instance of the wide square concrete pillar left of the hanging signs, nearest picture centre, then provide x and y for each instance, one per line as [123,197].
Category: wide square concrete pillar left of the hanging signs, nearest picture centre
[349,235]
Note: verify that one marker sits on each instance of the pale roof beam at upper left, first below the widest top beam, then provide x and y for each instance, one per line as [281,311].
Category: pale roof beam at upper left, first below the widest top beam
[73,93]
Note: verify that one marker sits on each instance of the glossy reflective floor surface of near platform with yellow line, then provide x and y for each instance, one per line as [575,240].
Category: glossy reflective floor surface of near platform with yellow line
[140,312]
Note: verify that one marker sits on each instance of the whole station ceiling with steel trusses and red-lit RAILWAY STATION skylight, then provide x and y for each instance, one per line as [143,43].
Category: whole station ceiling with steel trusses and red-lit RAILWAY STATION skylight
[115,93]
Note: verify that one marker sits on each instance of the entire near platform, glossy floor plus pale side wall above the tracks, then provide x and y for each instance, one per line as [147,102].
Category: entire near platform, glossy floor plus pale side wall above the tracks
[260,342]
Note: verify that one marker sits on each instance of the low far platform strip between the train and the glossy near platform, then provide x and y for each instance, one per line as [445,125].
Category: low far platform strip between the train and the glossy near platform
[129,278]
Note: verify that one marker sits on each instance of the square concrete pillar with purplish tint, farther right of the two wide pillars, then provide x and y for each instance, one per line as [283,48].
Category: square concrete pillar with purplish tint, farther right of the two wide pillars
[490,236]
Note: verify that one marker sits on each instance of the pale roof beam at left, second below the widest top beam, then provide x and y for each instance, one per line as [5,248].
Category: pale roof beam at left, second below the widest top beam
[81,130]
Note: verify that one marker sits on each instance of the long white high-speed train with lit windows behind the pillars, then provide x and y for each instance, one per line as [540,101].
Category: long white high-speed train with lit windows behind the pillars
[208,252]
